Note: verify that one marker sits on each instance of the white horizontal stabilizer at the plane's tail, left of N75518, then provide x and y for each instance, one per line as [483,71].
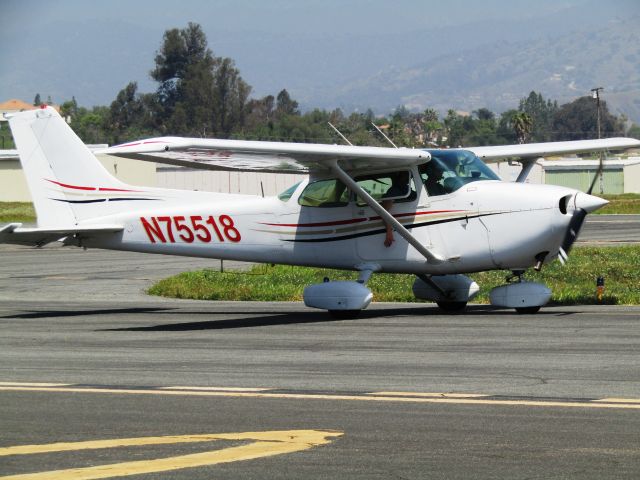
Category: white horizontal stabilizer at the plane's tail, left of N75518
[37,237]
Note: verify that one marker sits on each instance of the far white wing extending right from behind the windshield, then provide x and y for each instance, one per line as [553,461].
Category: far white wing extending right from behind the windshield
[537,150]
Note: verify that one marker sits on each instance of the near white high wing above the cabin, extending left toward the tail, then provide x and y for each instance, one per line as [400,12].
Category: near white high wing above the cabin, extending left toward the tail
[276,157]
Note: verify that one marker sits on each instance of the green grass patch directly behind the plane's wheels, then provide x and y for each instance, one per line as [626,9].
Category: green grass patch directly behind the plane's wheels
[571,285]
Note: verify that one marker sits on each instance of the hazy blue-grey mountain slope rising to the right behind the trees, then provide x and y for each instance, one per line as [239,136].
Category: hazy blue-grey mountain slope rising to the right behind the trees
[497,76]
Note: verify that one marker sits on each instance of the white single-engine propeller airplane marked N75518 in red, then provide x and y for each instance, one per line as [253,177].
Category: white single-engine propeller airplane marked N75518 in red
[447,214]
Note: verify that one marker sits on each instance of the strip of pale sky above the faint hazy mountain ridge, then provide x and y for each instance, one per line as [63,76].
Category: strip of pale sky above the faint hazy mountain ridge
[302,16]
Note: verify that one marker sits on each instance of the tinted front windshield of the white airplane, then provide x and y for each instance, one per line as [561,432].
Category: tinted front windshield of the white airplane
[448,170]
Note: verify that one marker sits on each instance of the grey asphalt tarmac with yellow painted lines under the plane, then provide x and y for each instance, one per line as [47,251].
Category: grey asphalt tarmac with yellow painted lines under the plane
[99,380]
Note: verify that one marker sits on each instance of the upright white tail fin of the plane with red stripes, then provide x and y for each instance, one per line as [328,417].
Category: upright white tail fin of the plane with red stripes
[61,172]
